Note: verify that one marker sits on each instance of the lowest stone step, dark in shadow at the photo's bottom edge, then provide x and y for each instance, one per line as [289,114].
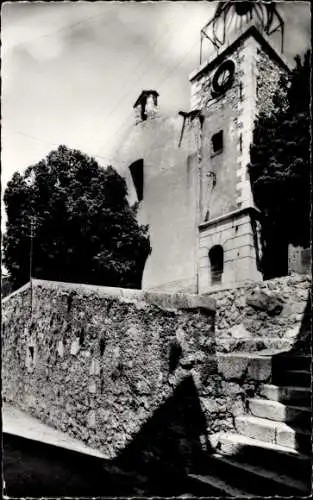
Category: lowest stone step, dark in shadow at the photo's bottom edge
[211,486]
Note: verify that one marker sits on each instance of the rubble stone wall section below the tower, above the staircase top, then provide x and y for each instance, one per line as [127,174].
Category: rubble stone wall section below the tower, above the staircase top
[240,326]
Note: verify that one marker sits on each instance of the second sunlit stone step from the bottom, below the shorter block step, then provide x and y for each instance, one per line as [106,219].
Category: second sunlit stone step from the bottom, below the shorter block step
[274,432]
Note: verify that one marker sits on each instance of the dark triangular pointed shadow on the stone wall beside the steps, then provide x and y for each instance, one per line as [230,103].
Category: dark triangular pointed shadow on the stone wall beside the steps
[171,443]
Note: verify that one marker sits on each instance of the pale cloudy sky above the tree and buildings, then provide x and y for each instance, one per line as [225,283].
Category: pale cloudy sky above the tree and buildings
[71,71]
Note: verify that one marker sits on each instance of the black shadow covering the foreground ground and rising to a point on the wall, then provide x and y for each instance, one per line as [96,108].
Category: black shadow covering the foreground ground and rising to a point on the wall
[170,444]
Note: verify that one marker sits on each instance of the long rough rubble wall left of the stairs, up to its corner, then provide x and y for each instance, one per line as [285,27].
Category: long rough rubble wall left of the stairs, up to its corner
[104,364]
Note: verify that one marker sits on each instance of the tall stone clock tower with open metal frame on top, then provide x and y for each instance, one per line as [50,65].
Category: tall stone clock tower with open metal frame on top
[236,81]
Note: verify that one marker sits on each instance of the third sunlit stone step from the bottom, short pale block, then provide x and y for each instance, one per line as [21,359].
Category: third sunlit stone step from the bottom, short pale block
[273,410]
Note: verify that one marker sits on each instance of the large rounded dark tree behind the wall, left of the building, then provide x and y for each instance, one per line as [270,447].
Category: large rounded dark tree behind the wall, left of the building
[82,225]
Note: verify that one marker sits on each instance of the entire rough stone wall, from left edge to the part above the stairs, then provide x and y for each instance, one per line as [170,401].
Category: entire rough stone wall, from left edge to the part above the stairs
[143,377]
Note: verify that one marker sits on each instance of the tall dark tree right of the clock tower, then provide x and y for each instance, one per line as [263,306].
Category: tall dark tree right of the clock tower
[280,170]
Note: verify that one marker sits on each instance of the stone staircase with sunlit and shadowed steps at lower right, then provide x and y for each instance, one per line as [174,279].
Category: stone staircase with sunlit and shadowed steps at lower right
[270,454]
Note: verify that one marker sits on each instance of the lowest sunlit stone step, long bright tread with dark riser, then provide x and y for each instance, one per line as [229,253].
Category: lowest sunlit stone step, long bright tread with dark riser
[270,456]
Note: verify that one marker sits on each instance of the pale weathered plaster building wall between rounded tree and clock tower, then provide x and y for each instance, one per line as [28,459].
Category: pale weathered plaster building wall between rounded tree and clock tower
[170,199]
